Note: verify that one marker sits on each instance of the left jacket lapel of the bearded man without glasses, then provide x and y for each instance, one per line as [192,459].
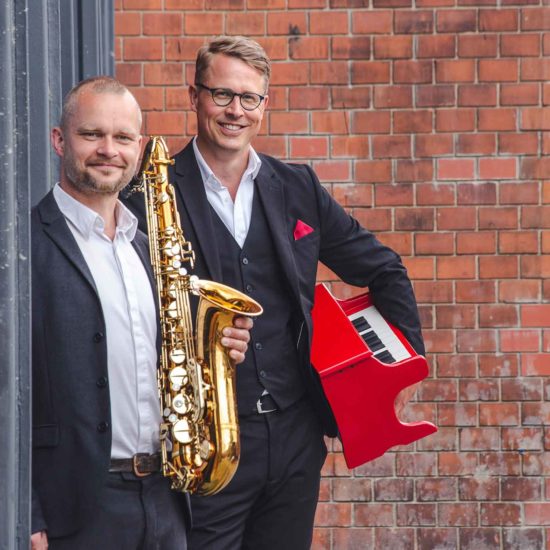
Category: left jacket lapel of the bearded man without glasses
[56,228]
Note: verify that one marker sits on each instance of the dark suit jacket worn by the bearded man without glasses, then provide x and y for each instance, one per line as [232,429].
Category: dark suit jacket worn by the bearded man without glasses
[71,405]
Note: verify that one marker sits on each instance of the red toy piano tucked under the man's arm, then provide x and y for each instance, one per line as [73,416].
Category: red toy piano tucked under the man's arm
[364,362]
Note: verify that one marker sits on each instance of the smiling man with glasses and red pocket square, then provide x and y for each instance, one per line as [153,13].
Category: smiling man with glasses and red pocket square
[261,226]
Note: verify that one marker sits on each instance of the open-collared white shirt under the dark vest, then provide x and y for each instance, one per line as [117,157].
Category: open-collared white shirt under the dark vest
[235,215]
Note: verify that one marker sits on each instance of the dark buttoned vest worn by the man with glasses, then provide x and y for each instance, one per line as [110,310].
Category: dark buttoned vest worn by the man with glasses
[271,361]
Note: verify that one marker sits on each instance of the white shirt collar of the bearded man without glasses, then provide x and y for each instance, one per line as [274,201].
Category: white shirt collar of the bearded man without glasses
[85,220]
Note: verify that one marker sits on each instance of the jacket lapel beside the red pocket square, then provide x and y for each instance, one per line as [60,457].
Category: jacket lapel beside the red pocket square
[270,190]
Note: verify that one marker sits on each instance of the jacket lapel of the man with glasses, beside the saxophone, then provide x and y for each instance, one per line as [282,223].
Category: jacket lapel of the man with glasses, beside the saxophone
[192,199]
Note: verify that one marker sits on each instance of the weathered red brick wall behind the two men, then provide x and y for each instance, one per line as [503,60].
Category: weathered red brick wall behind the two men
[430,123]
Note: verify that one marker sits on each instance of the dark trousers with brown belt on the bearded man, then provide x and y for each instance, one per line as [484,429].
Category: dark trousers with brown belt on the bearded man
[132,514]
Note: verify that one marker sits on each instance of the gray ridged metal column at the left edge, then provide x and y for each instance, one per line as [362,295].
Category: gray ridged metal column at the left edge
[46,46]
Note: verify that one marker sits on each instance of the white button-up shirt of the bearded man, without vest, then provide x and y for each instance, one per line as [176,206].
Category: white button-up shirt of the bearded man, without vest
[128,306]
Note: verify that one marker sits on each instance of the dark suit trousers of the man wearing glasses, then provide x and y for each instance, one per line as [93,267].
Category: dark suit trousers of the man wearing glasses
[270,502]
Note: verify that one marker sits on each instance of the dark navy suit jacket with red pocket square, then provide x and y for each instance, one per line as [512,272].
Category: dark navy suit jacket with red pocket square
[289,193]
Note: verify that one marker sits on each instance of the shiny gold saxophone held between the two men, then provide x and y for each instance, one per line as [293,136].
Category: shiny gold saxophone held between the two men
[199,432]
